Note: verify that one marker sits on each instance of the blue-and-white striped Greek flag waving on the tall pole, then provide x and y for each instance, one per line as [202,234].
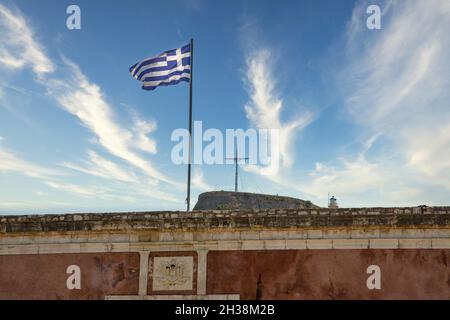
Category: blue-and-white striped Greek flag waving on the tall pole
[170,67]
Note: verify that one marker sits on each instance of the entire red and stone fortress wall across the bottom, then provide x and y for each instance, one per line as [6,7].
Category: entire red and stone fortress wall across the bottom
[268,254]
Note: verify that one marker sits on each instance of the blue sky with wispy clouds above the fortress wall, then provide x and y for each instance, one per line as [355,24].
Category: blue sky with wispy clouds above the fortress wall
[364,114]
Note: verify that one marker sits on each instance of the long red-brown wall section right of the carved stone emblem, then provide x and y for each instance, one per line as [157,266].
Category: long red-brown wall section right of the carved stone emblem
[329,274]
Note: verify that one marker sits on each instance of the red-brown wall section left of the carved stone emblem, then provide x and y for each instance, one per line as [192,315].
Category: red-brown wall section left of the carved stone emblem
[44,276]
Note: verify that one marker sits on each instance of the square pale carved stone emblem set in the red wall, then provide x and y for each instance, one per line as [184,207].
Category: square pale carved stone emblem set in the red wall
[173,273]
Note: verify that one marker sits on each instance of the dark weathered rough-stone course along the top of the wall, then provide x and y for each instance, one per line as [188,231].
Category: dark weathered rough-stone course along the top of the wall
[229,219]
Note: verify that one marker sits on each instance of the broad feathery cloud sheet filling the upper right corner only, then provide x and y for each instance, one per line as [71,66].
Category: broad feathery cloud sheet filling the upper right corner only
[397,82]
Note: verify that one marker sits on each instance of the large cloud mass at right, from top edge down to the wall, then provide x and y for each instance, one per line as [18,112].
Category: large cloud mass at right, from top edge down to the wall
[394,83]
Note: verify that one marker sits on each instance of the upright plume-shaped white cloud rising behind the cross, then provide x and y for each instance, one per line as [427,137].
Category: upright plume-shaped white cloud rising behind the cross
[265,108]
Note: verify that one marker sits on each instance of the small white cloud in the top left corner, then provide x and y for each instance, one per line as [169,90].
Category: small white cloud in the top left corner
[17,45]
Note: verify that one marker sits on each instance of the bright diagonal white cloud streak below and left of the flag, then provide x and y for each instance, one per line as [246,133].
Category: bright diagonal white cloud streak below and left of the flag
[86,101]
